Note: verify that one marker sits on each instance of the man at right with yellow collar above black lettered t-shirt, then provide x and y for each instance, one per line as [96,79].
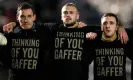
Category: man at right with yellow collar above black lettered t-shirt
[109,54]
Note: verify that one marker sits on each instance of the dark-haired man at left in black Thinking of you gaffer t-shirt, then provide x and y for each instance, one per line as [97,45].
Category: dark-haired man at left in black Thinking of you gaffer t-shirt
[27,47]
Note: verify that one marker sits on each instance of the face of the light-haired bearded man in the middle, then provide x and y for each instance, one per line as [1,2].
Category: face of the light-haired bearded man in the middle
[69,14]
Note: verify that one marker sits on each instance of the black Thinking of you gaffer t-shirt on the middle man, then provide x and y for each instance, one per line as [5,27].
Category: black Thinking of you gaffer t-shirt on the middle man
[69,61]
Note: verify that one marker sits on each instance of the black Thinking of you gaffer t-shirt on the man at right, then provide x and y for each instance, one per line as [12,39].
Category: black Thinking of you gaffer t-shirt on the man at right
[109,59]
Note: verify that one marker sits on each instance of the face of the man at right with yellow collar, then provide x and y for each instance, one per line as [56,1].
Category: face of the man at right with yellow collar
[109,25]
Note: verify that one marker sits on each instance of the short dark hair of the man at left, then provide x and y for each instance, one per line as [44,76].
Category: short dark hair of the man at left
[25,5]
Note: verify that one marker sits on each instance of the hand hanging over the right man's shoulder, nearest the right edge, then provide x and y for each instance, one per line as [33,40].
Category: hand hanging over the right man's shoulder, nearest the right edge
[122,35]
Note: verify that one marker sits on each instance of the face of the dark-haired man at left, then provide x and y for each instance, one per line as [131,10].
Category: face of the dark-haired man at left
[26,18]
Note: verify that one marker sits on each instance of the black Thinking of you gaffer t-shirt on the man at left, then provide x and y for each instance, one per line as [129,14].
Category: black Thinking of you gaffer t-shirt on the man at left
[28,52]
